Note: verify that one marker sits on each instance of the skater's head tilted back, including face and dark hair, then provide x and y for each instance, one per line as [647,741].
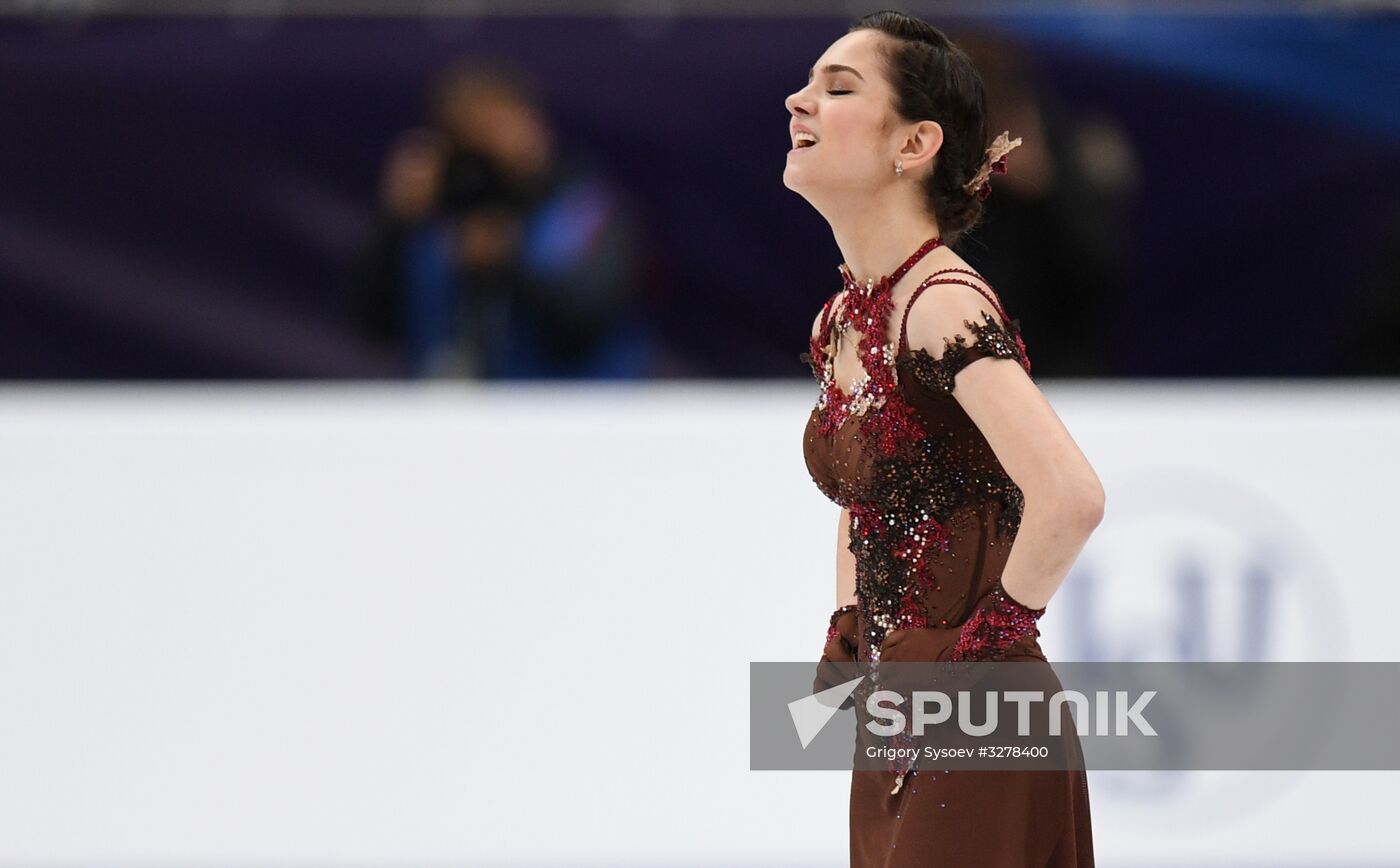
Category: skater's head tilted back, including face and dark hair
[892,90]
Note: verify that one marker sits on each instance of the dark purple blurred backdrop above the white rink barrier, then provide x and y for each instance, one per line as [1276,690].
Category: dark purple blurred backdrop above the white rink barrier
[222,192]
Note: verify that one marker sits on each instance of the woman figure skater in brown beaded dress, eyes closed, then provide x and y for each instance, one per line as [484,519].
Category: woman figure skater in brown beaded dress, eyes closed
[939,464]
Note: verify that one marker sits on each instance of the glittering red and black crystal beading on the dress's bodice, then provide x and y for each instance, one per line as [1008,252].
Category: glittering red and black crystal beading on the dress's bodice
[918,475]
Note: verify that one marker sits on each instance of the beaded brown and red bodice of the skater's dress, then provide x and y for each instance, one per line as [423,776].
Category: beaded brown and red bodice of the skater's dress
[933,512]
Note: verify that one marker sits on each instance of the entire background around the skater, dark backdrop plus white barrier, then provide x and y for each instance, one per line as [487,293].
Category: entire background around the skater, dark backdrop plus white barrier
[363,360]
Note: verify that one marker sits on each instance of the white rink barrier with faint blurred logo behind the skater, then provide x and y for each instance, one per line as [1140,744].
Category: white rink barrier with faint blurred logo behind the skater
[391,626]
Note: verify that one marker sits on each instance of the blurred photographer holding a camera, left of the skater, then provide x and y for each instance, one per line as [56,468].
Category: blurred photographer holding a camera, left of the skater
[498,255]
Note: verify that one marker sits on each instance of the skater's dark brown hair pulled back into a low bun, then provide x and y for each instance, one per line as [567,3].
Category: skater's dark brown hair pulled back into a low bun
[936,80]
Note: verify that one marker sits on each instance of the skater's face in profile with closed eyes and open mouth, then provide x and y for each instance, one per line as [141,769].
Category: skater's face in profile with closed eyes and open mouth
[848,106]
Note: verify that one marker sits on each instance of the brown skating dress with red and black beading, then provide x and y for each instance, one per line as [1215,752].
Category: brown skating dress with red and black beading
[933,520]
